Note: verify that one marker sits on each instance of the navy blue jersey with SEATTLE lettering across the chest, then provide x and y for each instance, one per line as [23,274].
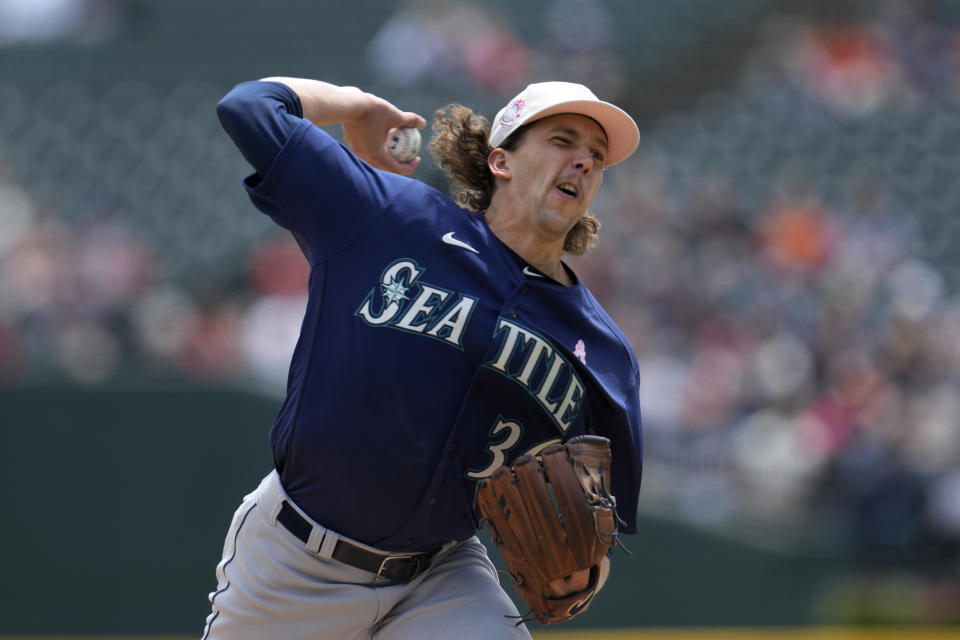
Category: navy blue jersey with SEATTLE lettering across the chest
[430,353]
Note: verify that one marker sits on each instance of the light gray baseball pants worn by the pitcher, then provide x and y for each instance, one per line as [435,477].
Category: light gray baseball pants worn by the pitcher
[273,585]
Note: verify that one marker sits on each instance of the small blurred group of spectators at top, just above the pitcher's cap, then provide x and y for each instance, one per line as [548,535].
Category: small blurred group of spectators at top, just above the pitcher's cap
[474,48]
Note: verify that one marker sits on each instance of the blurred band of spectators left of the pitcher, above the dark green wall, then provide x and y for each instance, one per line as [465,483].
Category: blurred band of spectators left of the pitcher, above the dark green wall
[93,303]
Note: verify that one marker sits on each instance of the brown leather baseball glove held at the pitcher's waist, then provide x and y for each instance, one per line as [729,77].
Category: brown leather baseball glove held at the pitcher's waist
[551,515]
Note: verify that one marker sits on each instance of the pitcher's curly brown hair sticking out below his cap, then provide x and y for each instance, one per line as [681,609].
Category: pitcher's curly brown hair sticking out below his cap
[459,146]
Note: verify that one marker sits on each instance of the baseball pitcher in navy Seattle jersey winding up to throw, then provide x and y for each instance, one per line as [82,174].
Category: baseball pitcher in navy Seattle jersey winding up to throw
[451,372]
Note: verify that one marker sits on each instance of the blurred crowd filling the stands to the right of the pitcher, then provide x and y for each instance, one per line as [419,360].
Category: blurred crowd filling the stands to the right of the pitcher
[798,326]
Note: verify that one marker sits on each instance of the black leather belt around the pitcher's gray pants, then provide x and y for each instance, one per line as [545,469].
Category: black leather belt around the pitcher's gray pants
[397,568]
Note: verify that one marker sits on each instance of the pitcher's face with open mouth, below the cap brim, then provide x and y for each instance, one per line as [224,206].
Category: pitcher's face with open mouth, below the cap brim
[557,168]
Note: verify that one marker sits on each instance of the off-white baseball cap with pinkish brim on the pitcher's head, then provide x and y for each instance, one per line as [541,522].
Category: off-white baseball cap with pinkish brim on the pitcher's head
[544,99]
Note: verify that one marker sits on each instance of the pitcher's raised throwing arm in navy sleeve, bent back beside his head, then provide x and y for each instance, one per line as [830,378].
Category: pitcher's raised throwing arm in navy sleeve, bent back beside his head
[305,180]
